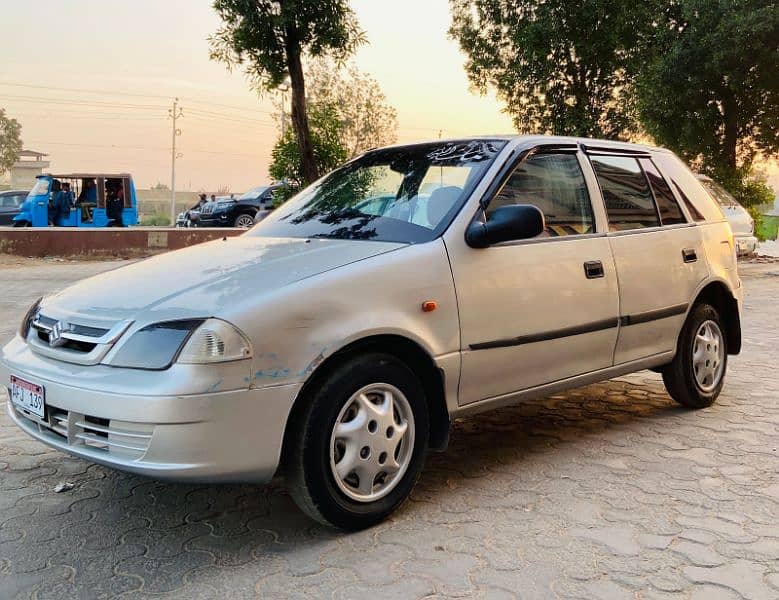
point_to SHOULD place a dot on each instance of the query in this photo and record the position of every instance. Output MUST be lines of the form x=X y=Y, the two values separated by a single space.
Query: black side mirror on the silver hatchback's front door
x=507 y=223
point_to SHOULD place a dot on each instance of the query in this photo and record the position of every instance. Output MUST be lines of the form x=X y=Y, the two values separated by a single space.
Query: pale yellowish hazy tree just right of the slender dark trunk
x=368 y=120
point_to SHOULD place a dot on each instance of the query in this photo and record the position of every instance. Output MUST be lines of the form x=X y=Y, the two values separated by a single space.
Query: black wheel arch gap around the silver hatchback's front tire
x=407 y=351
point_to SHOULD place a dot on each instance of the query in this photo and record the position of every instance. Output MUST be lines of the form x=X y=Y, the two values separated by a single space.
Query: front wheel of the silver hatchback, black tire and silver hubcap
x=378 y=405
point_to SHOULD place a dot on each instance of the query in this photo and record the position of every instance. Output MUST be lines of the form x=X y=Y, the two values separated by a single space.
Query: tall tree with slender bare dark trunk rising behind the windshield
x=269 y=39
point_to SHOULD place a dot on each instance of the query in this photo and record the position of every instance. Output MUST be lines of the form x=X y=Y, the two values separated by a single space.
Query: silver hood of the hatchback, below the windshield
x=202 y=280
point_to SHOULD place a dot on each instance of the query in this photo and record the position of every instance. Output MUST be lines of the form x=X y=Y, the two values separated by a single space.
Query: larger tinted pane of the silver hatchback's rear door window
x=626 y=193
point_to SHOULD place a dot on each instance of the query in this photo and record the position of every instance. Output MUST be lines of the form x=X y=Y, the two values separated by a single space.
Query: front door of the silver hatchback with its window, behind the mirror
x=540 y=310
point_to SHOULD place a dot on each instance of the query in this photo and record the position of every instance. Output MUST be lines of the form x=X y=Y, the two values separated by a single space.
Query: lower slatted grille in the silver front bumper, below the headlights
x=118 y=438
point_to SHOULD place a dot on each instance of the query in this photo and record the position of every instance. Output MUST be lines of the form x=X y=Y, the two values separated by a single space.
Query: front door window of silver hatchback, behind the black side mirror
x=555 y=184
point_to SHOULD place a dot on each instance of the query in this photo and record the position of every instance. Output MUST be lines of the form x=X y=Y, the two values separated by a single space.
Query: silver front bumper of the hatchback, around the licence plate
x=231 y=435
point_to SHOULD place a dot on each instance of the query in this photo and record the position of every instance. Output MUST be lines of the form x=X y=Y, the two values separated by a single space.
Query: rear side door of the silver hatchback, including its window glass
x=658 y=254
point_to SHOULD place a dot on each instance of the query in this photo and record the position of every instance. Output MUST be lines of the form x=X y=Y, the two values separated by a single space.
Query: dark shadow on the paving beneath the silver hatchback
x=150 y=526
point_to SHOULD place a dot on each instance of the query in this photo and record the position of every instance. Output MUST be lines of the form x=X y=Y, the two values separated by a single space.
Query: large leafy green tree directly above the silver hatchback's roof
x=560 y=67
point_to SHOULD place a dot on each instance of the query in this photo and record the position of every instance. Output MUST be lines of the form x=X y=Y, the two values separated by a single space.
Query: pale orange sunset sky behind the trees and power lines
x=91 y=82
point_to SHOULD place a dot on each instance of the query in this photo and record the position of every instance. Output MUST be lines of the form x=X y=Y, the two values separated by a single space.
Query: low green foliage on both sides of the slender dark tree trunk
x=329 y=150
